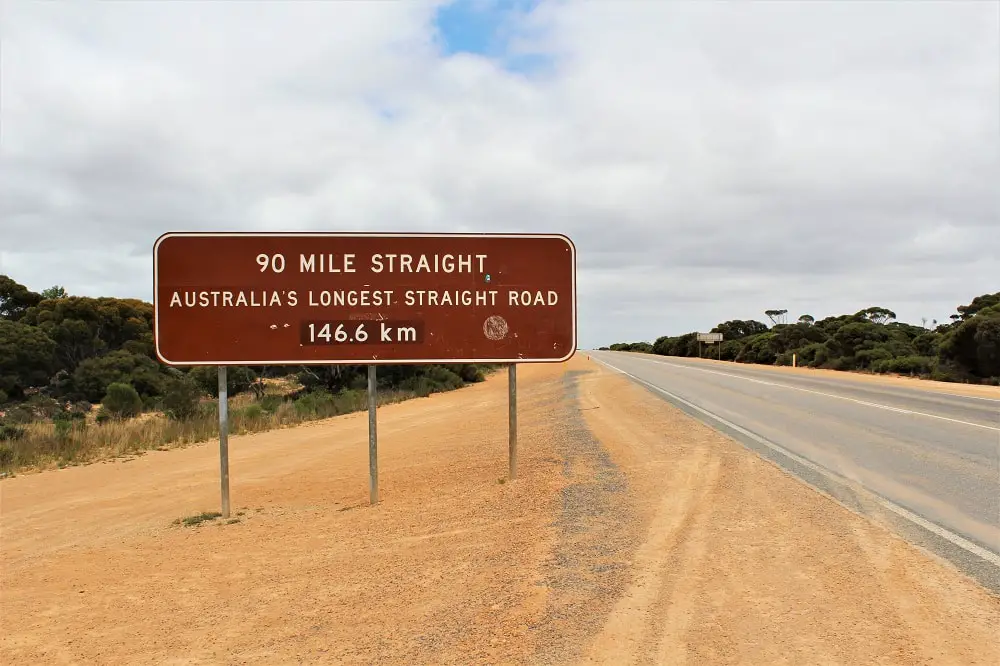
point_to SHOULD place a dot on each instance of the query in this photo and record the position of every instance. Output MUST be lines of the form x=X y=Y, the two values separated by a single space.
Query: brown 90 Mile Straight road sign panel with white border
x=325 y=298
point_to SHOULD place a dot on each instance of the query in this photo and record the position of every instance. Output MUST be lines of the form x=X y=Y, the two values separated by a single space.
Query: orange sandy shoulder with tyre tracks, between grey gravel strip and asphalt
x=741 y=563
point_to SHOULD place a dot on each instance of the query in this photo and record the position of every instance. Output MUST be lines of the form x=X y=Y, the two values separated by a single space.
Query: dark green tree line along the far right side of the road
x=964 y=349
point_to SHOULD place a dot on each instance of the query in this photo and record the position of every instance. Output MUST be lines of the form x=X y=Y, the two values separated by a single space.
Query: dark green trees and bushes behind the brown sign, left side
x=78 y=351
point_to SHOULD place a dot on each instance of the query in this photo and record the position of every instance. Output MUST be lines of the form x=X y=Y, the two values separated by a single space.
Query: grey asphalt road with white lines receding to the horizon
x=931 y=457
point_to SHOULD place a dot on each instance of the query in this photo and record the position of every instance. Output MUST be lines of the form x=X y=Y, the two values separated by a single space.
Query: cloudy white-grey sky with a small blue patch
x=710 y=160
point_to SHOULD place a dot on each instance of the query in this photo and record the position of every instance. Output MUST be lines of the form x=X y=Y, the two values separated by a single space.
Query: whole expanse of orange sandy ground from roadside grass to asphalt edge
x=633 y=535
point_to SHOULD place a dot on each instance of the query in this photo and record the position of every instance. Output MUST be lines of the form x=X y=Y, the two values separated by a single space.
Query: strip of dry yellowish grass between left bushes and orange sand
x=47 y=444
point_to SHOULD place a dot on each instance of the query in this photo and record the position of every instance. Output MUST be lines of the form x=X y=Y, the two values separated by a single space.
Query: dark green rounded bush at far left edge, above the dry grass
x=27 y=358
